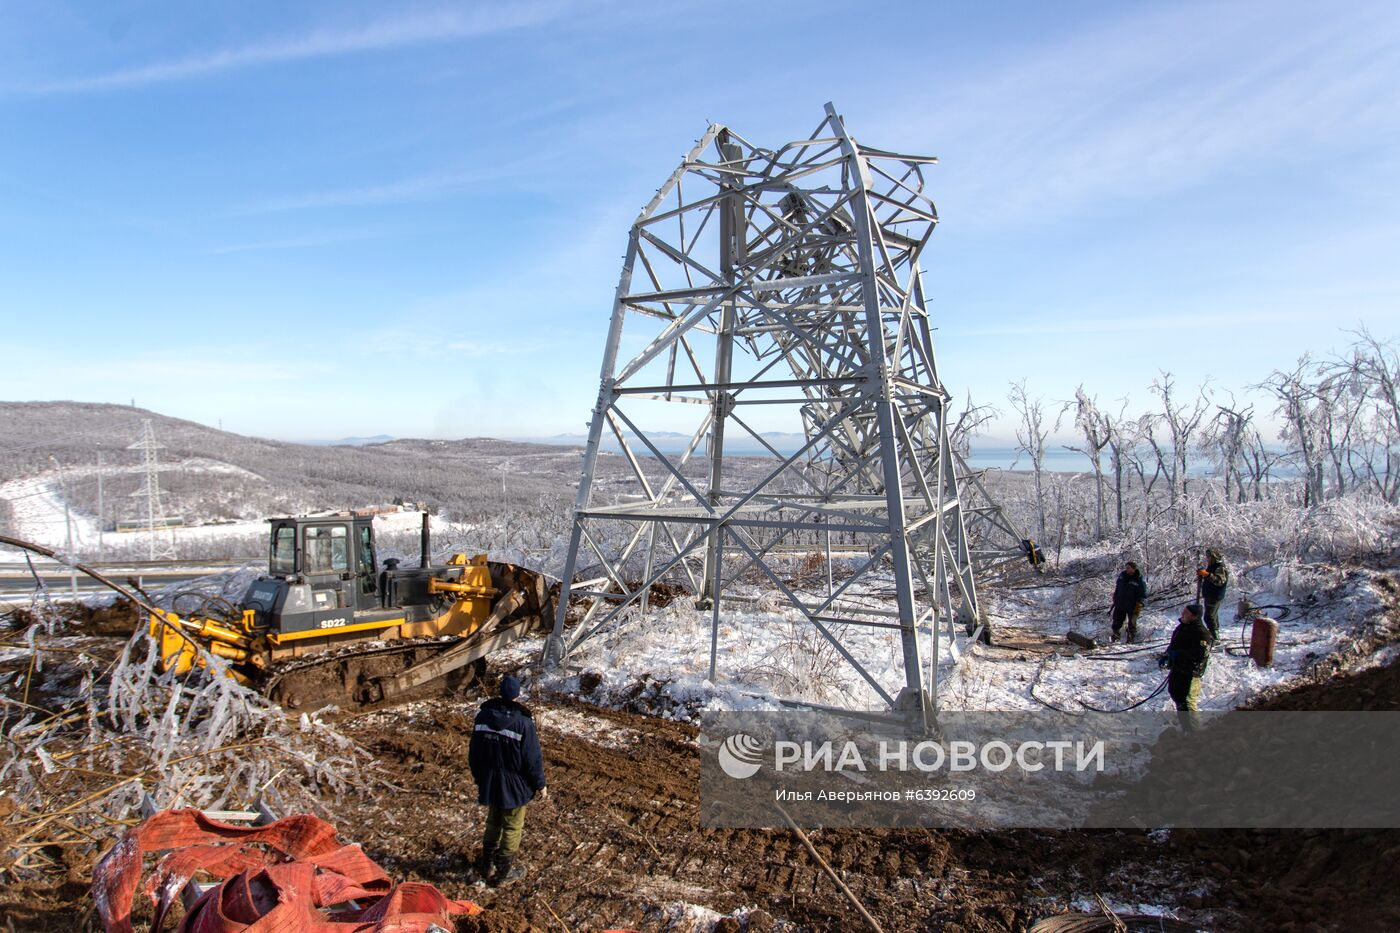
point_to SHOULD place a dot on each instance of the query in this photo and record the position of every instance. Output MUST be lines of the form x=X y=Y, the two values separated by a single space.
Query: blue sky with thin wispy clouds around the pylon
x=320 y=221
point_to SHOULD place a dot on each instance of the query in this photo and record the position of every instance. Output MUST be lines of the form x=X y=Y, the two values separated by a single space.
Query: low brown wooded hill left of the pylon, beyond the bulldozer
x=208 y=474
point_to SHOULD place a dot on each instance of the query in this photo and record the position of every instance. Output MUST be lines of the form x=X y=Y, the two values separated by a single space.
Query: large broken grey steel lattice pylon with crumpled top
x=765 y=284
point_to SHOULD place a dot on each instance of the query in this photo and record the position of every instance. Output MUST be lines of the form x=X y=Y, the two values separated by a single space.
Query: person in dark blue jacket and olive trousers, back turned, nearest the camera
x=510 y=773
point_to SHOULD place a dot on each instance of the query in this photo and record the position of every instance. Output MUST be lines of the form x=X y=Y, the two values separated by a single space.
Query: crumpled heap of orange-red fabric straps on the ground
x=290 y=876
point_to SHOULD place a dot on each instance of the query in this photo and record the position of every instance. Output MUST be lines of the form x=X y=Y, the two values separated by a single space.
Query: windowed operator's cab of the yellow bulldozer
x=332 y=554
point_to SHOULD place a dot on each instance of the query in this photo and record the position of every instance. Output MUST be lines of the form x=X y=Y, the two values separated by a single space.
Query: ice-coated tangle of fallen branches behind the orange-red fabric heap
x=195 y=740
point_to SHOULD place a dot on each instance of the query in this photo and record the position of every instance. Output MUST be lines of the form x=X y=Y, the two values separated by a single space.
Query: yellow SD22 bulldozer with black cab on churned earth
x=330 y=624
